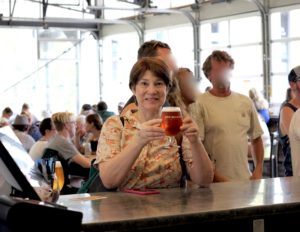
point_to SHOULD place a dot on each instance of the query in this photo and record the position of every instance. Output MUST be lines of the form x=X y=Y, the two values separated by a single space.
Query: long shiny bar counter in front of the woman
x=264 y=205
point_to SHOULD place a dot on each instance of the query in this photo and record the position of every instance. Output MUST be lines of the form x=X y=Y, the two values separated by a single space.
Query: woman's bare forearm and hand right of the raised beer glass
x=201 y=170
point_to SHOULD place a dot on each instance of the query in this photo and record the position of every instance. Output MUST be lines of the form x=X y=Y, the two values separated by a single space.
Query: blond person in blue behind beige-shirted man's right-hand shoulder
x=260 y=103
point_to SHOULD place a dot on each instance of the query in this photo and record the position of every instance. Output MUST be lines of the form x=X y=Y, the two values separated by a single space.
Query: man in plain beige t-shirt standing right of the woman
x=226 y=121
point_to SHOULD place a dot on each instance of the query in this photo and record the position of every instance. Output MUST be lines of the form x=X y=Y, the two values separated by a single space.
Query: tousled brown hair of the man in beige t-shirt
x=218 y=56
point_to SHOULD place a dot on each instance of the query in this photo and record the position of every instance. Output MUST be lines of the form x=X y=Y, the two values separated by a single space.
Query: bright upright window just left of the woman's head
x=116 y=66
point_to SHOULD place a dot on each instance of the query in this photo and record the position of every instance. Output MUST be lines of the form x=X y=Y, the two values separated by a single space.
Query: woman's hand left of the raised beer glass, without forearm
x=149 y=131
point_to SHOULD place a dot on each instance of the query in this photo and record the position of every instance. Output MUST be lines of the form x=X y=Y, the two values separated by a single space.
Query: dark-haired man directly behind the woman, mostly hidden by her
x=160 y=50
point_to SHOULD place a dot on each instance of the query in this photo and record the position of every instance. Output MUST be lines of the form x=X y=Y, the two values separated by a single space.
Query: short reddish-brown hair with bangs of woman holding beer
x=154 y=65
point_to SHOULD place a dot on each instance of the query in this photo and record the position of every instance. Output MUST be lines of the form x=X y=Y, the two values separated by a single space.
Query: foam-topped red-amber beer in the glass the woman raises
x=171 y=120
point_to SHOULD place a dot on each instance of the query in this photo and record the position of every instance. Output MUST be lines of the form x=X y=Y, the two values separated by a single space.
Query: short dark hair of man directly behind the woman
x=149 y=48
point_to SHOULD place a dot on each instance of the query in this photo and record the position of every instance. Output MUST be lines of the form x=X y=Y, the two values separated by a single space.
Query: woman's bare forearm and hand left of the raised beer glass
x=113 y=171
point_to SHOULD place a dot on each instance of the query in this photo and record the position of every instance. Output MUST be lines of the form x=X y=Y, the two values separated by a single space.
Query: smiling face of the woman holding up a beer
x=150 y=92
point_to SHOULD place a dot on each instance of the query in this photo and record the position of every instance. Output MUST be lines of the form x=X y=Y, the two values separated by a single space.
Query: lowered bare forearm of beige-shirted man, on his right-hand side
x=258 y=157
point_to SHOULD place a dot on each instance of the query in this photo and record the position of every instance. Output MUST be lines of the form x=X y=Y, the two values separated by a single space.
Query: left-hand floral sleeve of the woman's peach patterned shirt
x=110 y=139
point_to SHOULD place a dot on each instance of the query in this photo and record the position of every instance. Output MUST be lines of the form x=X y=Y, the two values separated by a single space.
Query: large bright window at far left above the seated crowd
x=61 y=84
